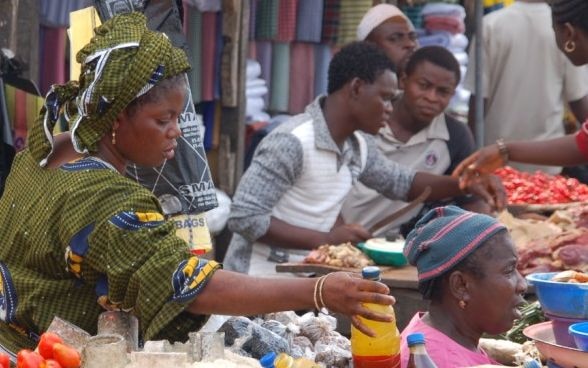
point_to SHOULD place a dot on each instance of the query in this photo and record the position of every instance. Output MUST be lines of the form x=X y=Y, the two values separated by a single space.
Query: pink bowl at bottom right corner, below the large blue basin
x=563 y=356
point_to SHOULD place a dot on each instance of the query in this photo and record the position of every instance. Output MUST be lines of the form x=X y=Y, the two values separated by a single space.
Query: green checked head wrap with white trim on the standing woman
x=122 y=61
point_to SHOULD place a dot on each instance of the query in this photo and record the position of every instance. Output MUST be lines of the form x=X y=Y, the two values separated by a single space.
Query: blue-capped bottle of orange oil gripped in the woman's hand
x=383 y=350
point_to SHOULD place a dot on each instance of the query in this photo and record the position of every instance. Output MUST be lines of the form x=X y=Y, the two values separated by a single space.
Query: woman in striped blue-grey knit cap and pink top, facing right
x=466 y=266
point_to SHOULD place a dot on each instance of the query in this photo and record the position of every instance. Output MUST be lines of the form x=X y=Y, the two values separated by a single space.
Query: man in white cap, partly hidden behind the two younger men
x=390 y=29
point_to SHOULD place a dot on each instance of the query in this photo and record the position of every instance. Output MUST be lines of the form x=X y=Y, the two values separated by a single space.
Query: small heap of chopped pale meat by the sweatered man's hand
x=343 y=255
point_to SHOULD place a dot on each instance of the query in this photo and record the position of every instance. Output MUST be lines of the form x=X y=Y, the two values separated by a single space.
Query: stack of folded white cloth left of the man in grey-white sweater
x=255 y=90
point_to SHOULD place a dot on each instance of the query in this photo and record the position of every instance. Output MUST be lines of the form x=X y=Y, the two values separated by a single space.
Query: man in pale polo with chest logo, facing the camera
x=421 y=136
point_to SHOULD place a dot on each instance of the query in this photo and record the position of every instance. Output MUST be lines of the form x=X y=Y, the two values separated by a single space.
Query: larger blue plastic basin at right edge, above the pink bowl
x=560 y=299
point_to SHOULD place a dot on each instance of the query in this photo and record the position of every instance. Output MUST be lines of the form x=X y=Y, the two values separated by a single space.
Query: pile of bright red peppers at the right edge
x=541 y=188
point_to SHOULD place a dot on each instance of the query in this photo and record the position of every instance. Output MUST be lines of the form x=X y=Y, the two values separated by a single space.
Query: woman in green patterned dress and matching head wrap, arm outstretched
x=78 y=237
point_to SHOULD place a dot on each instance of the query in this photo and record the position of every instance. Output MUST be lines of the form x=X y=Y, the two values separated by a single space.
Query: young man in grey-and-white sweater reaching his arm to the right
x=289 y=199
